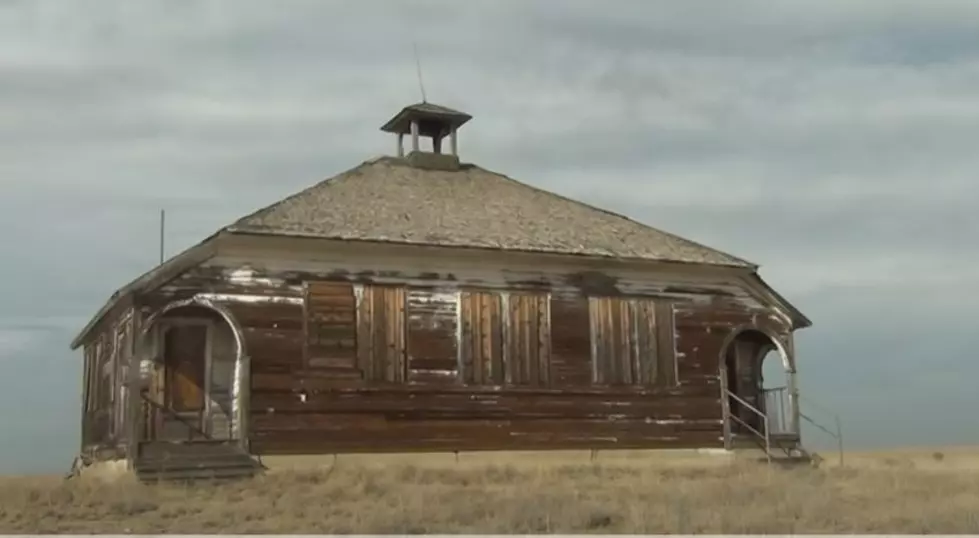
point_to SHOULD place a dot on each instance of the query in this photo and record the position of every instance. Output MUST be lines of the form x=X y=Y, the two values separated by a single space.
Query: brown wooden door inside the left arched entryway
x=185 y=357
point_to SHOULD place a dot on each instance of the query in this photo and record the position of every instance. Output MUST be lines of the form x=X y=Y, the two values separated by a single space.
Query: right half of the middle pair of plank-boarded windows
x=526 y=338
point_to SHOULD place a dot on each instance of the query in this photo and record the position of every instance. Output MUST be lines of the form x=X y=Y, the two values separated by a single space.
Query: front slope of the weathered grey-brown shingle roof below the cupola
x=386 y=199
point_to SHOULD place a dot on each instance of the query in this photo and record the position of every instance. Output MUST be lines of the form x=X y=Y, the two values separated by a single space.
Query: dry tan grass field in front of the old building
x=895 y=492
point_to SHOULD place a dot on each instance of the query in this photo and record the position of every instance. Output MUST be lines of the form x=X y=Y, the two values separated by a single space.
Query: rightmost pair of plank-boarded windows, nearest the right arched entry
x=626 y=342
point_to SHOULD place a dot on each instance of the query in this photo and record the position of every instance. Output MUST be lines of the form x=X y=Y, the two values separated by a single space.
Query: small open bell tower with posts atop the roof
x=432 y=121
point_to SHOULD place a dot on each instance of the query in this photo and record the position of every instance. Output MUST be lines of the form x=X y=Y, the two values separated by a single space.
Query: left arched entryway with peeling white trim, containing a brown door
x=190 y=372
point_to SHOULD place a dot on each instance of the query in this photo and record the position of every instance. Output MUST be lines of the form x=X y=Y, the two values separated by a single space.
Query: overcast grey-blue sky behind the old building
x=832 y=142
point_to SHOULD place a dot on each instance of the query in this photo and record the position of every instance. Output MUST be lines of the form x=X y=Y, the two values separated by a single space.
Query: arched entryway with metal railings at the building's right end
x=759 y=374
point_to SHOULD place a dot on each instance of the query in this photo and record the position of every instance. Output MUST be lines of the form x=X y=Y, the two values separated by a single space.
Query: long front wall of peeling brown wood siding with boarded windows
x=351 y=352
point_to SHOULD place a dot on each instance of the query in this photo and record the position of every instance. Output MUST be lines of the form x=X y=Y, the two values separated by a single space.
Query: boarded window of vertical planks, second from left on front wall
x=381 y=333
